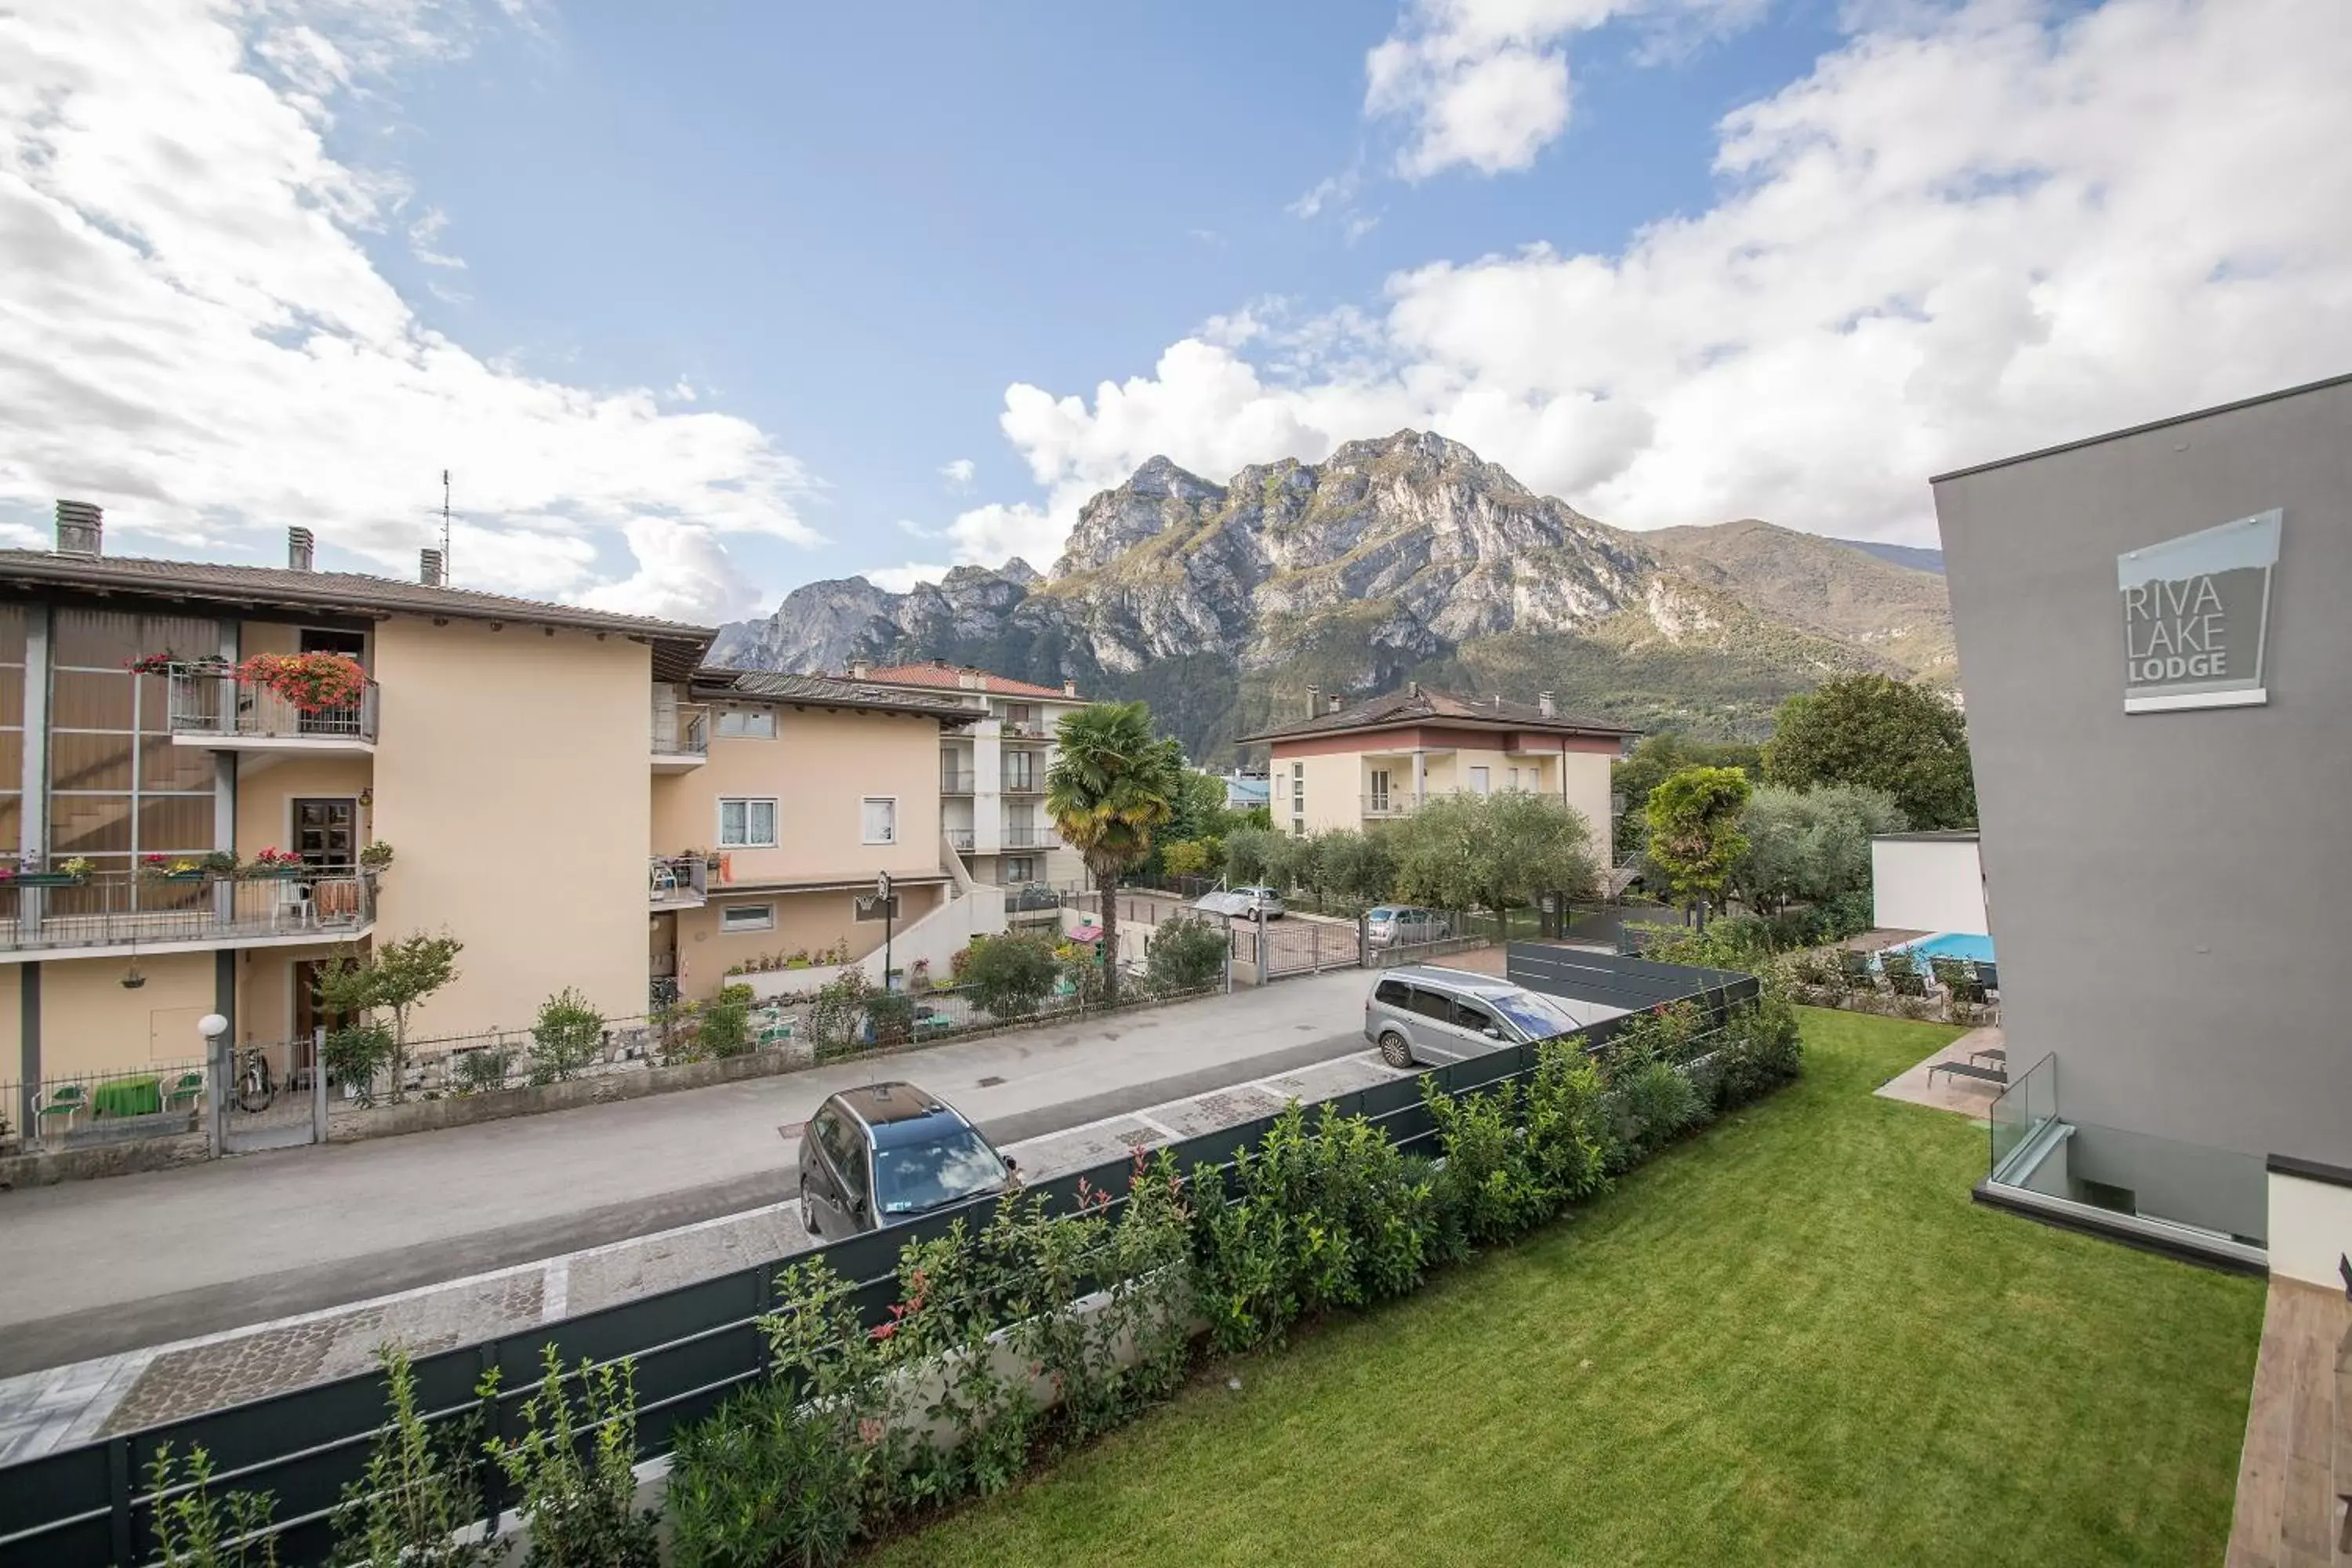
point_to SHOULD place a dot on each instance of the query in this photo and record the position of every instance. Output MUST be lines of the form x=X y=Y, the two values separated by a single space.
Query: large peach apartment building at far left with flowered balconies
x=497 y=746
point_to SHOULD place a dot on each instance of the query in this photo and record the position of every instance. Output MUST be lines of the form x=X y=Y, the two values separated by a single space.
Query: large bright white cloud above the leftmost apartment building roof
x=194 y=333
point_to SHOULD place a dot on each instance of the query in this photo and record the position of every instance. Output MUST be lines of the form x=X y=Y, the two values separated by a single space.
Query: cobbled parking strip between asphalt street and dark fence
x=72 y=1405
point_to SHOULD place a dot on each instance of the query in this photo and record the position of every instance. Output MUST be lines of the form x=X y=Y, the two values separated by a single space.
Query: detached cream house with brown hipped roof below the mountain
x=1379 y=760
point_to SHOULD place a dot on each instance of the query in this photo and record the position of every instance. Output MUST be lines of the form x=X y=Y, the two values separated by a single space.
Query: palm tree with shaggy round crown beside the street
x=1111 y=784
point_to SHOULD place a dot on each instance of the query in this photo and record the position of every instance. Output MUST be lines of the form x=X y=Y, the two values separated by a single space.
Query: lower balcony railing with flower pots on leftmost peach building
x=126 y=911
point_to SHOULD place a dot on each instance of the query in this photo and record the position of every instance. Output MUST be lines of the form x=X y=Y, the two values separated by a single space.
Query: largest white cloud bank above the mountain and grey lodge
x=1965 y=234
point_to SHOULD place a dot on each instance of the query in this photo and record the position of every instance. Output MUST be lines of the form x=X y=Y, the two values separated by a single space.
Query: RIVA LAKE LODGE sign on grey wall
x=2198 y=617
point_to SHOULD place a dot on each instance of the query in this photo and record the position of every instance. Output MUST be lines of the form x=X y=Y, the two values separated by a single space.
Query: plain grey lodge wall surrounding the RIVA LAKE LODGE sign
x=2165 y=885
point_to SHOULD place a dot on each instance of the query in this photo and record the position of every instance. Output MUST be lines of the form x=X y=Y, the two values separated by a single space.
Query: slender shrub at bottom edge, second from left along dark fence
x=417 y=1492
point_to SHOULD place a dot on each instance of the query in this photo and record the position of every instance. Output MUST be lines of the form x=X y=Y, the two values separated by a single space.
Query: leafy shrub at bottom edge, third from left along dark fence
x=575 y=1470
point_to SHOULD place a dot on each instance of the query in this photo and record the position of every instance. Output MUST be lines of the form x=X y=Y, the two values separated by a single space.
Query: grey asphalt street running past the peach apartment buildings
x=112 y=1266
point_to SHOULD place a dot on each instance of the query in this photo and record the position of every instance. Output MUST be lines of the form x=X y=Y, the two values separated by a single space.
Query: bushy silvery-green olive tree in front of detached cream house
x=1492 y=852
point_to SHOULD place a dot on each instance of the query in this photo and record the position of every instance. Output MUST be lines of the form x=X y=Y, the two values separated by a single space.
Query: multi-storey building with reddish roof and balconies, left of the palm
x=991 y=775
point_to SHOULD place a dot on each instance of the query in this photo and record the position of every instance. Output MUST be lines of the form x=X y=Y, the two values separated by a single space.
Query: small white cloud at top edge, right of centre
x=1485 y=83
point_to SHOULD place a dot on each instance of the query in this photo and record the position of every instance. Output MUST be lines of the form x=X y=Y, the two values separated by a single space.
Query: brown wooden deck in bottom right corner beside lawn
x=2299 y=1435
